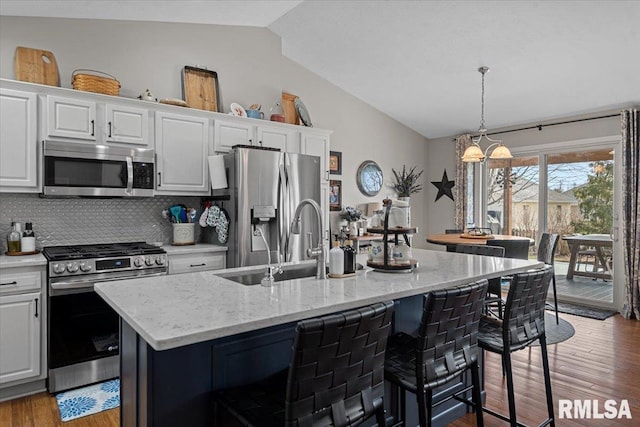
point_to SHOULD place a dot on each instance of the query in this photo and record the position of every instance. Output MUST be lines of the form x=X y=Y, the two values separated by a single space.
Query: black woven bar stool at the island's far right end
x=521 y=325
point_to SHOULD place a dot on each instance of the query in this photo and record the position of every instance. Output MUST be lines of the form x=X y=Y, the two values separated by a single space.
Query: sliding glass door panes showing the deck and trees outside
x=569 y=192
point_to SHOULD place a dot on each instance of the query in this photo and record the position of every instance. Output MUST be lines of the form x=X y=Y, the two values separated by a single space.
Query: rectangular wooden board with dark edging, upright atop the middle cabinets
x=200 y=89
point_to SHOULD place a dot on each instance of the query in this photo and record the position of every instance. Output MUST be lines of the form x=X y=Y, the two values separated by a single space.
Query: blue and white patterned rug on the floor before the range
x=89 y=400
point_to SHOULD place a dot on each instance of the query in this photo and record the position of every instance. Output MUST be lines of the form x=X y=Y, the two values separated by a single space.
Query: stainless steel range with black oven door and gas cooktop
x=83 y=331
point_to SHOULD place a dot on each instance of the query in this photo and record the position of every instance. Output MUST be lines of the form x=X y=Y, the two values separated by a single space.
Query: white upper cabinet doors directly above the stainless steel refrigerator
x=243 y=132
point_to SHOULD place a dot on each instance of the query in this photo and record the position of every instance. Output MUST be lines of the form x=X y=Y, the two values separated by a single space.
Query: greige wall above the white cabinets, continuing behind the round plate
x=250 y=69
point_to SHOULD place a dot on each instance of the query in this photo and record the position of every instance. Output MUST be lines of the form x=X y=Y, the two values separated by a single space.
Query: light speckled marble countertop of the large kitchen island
x=177 y=310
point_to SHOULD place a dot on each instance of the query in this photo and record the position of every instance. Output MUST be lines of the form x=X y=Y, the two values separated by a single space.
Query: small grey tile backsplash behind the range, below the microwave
x=91 y=220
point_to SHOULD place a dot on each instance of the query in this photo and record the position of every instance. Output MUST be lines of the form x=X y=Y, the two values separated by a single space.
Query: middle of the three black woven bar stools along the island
x=445 y=348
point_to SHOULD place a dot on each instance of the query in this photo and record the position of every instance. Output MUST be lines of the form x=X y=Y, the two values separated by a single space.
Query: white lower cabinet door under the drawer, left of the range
x=20 y=336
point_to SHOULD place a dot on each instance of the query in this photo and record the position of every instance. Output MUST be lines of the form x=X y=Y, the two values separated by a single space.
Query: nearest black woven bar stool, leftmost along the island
x=335 y=377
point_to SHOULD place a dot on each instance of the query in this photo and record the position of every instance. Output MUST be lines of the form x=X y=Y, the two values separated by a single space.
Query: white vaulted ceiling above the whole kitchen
x=417 y=61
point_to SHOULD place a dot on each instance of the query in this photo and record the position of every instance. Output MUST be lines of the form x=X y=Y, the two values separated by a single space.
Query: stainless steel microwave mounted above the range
x=76 y=169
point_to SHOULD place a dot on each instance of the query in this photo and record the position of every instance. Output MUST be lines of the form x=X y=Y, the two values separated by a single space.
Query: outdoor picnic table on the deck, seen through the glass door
x=596 y=241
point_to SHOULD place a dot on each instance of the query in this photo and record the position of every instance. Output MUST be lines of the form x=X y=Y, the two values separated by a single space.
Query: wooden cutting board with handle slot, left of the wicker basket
x=36 y=66
